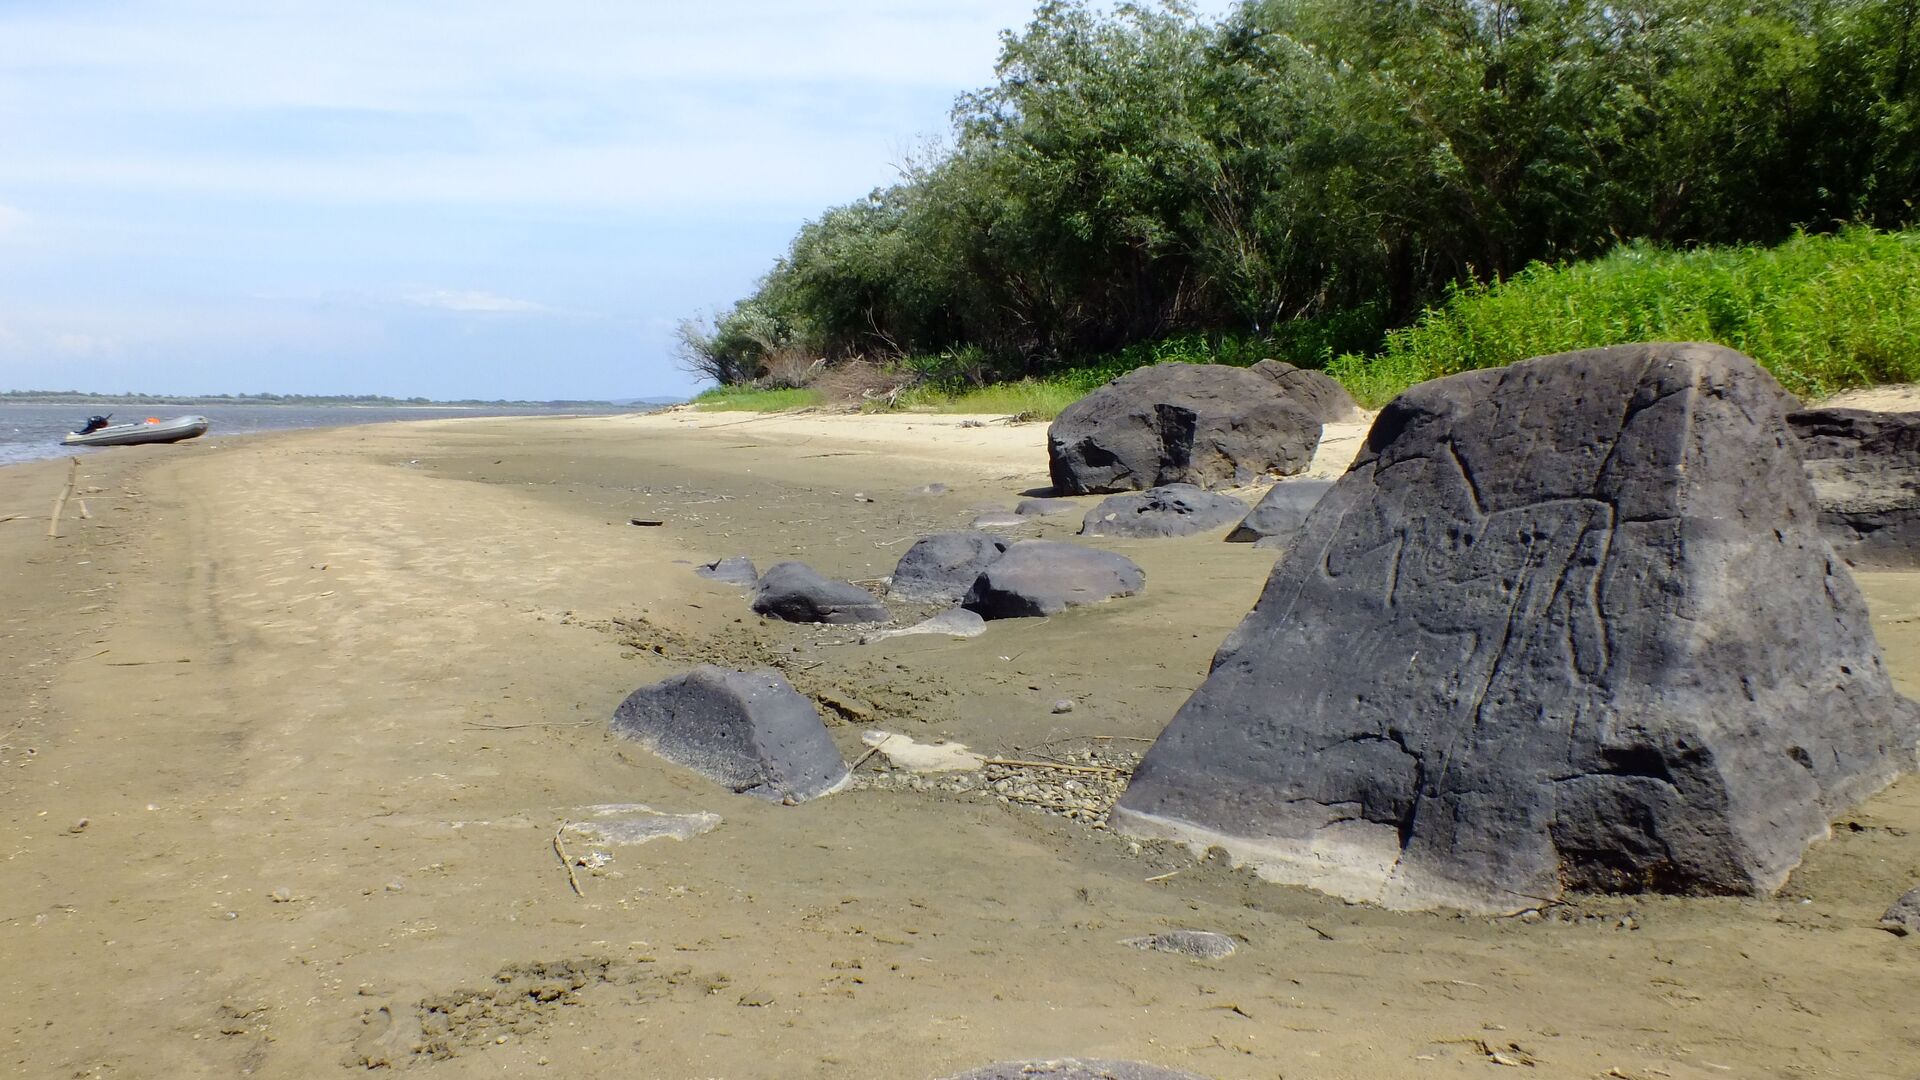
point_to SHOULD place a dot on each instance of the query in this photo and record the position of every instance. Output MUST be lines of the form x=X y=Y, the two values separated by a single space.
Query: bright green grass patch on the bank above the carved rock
x=1821 y=312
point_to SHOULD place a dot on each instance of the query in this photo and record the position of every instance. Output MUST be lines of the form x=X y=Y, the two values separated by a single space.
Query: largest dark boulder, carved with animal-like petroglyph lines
x=1566 y=626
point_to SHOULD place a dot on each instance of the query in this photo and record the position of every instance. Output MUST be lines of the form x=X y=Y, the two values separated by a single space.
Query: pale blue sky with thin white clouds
x=452 y=201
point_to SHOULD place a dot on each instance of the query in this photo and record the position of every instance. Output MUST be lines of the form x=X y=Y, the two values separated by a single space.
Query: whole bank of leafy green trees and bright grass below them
x=1383 y=191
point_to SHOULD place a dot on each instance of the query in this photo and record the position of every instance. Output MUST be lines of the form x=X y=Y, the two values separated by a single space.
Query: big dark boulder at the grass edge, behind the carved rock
x=1178 y=424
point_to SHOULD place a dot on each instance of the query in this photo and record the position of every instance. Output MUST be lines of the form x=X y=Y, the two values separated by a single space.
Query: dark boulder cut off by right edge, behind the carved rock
x=1865 y=472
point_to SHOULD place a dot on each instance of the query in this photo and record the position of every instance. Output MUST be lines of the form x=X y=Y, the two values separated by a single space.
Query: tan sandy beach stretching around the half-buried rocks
x=293 y=724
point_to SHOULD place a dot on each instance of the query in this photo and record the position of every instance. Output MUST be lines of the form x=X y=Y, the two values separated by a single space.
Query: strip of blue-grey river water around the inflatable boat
x=32 y=431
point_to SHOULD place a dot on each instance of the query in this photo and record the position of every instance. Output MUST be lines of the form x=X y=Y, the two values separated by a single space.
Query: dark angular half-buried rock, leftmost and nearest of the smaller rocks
x=746 y=729
